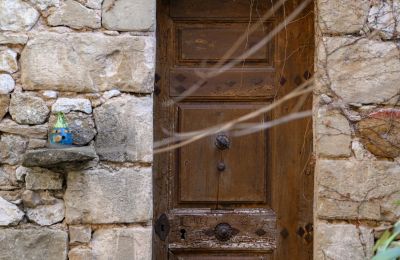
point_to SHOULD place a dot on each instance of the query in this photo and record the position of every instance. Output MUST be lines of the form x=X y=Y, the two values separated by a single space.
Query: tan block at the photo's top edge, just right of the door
x=342 y=16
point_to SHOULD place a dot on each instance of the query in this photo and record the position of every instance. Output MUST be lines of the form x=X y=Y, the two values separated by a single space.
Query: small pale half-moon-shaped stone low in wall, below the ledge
x=46 y=215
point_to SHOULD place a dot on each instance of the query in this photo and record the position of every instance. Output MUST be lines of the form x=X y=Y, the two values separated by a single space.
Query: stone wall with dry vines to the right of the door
x=356 y=125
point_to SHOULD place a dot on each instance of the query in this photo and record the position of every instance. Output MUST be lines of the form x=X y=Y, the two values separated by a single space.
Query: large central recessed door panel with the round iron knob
x=211 y=173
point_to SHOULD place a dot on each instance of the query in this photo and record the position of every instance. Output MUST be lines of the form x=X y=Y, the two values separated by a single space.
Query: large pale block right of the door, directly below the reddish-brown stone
x=355 y=189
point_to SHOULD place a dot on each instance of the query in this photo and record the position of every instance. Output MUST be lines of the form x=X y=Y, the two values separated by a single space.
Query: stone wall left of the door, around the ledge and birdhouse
x=93 y=60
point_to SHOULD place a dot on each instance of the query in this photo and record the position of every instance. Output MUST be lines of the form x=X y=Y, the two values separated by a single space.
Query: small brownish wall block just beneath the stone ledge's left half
x=43 y=179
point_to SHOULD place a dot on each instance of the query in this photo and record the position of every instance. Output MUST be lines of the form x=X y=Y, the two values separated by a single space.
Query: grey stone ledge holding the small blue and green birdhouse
x=52 y=157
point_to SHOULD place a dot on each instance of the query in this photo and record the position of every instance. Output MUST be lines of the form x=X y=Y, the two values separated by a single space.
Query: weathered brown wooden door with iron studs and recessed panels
x=227 y=196
